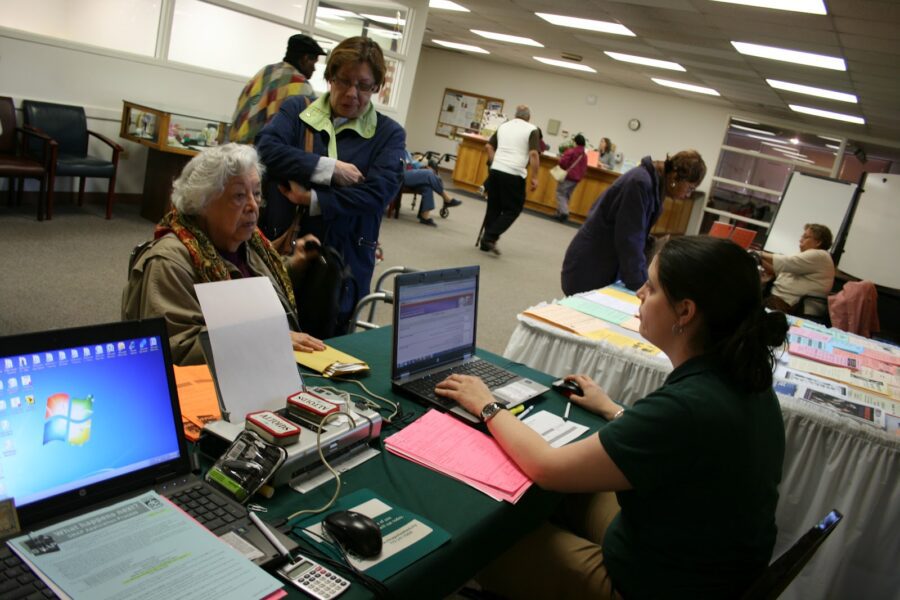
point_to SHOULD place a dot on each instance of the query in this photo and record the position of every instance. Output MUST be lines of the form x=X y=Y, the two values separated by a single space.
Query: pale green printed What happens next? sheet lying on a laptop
x=143 y=548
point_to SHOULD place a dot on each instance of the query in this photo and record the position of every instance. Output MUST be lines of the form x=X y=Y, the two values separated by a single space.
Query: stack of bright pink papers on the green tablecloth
x=442 y=443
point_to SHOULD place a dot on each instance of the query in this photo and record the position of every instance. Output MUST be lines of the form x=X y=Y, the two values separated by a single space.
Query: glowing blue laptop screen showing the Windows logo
x=84 y=407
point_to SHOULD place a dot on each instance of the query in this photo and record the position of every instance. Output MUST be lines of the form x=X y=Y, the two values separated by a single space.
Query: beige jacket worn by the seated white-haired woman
x=161 y=283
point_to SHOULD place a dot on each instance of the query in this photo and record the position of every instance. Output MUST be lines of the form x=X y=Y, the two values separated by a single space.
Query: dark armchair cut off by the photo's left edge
x=13 y=165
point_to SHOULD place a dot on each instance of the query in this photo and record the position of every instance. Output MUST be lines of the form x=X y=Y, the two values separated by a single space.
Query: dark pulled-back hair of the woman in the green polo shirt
x=723 y=281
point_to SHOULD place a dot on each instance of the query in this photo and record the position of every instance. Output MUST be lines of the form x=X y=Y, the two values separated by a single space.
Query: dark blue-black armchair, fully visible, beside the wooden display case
x=67 y=125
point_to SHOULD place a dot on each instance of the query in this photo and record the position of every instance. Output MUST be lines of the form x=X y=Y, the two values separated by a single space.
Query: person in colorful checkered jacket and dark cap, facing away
x=262 y=96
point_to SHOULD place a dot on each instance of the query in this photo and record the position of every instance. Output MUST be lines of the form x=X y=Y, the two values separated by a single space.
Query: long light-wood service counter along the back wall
x=471 y=171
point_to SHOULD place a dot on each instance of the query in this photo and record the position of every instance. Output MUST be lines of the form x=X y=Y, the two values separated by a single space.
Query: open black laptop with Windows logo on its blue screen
x=90 y=416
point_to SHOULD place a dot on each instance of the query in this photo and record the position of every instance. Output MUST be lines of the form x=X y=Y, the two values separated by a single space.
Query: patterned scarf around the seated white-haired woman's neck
x=208 y=263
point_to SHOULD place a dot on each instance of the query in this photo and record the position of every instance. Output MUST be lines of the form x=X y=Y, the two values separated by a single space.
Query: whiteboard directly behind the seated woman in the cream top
x=808 y=199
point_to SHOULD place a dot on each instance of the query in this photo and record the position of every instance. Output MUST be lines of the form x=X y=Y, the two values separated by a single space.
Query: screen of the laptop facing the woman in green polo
x=435 y=314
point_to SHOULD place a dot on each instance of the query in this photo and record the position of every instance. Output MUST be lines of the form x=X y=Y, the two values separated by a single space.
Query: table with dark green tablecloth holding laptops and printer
x=480 y=527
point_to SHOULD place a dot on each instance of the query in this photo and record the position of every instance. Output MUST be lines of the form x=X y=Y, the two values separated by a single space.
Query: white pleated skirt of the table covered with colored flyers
x=831 y=461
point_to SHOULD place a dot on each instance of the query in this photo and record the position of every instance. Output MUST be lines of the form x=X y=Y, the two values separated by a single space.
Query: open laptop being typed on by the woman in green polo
x=435 y=314
